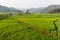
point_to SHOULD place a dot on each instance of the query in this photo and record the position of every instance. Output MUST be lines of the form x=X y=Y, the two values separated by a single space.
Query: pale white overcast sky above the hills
x=28 y=3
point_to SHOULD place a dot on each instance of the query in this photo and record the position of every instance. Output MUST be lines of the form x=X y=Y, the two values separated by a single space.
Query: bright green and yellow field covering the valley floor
x=29 y=27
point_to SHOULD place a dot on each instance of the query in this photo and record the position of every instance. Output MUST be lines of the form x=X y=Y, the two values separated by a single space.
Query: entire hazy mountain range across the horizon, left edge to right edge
x=41 y=9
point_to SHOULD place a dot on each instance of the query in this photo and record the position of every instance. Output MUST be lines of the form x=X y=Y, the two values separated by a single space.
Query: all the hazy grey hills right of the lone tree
x=44 y=9
